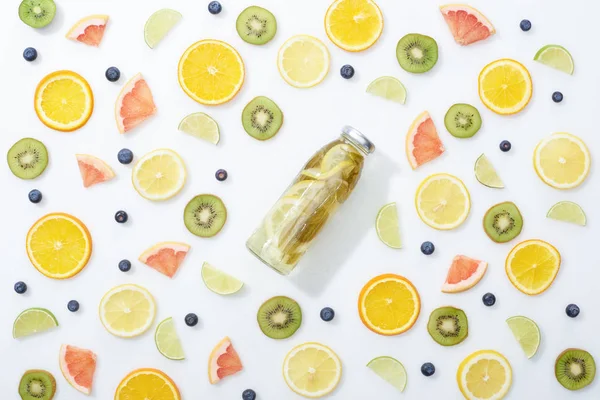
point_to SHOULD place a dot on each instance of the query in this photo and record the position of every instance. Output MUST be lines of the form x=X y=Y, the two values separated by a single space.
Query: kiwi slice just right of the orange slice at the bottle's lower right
x=448 y=325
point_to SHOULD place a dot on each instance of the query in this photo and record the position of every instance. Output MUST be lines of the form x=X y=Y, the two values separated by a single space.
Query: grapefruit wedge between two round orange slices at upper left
x=134 y=105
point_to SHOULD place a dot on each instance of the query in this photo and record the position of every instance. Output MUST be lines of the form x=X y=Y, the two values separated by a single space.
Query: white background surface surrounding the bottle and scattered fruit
x=348 y=253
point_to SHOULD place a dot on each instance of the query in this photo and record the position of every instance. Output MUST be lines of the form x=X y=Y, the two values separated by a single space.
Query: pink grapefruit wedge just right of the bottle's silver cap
x=422 y=141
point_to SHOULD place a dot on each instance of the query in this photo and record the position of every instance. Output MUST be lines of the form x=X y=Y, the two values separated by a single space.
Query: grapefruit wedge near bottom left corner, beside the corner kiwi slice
x=78 y=367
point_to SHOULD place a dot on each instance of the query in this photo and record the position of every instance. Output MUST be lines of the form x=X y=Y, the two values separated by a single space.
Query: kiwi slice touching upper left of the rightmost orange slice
x=503 y=222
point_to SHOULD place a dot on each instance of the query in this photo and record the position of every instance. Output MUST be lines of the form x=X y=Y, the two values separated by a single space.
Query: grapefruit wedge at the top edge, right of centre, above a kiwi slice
x=466 y=23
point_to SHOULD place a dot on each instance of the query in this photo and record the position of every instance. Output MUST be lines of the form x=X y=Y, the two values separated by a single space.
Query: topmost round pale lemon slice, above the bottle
x=303 y=61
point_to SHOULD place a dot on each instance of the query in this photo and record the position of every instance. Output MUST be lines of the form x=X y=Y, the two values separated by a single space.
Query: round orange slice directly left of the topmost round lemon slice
x=211 y=72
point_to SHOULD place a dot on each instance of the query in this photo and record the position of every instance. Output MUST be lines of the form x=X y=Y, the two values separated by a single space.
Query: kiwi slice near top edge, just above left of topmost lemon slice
x=256 y=25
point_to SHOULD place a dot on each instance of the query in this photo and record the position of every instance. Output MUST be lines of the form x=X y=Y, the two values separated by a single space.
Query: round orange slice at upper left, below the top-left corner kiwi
x=64 y=101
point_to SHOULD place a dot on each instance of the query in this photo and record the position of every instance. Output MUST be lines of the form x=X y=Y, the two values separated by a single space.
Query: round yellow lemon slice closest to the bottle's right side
x=443 y=201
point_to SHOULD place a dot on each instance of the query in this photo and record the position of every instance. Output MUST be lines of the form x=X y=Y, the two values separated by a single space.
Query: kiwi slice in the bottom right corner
x=575 y=369
